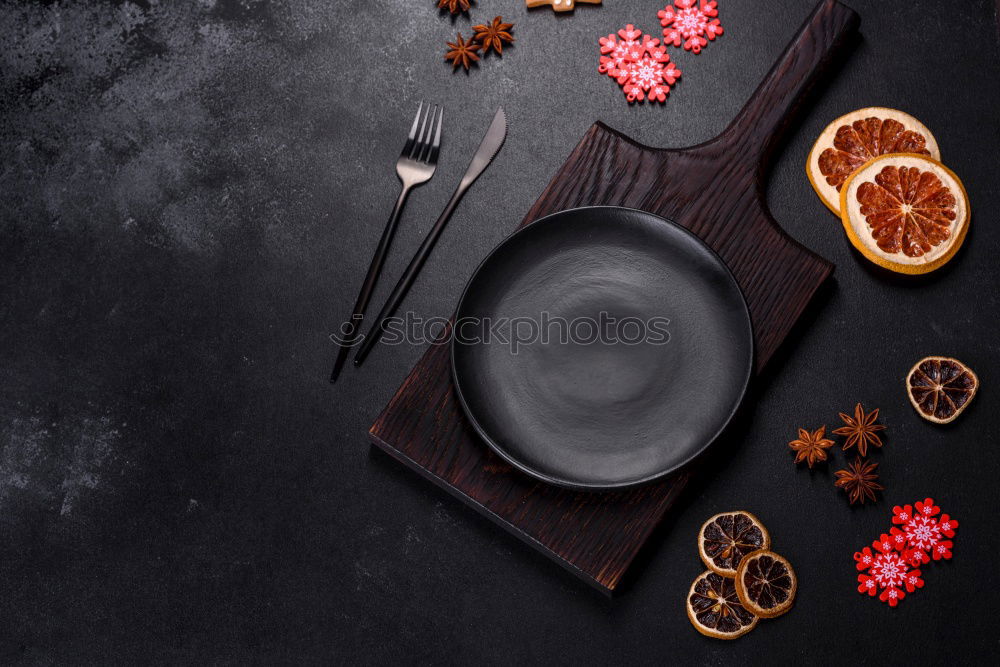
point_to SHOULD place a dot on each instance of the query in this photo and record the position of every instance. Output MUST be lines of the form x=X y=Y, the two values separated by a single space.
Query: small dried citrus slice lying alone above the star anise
x=940 y=388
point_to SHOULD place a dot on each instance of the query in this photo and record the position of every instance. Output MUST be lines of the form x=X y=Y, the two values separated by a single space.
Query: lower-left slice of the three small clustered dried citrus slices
x=714 y=607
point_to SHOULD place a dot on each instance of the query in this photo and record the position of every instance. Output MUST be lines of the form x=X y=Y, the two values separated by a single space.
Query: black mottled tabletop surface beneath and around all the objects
x=191 y=192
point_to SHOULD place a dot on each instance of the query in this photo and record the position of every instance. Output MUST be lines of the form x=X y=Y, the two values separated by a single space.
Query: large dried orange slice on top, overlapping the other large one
x=905 y=212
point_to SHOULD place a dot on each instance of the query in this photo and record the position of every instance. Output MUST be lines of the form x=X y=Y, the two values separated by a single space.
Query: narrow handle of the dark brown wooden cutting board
x=759 y=124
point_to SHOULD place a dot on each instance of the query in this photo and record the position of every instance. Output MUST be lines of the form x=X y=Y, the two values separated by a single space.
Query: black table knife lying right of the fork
x=487 y=150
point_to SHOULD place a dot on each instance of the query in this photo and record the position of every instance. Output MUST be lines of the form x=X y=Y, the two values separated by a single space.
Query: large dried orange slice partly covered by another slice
x=854 y=138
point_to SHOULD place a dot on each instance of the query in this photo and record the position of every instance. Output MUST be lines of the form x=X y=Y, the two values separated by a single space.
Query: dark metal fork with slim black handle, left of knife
x=416 y=165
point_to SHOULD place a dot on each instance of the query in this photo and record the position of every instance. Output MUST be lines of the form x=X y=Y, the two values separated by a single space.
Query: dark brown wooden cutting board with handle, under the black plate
x=713 y=189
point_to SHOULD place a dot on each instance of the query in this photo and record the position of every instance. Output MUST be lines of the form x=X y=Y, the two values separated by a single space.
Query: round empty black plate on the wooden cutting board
x=647 y=354
